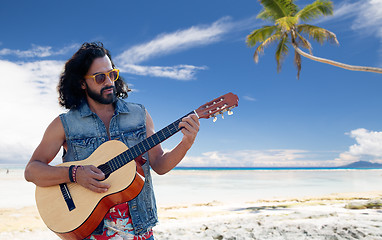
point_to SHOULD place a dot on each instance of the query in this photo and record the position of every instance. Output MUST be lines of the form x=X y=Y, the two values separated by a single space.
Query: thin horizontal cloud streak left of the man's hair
x=37 y=51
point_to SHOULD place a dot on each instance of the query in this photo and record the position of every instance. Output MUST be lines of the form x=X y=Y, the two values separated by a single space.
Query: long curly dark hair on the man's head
x=69 y=87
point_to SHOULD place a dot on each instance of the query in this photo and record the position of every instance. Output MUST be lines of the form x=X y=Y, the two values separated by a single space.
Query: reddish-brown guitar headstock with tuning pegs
x=217 y=106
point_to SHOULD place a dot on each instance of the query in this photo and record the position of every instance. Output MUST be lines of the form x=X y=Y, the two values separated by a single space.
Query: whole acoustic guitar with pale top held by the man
x=74 y=212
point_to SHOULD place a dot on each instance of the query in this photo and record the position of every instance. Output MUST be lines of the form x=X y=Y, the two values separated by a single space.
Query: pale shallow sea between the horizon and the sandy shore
x=181 y=186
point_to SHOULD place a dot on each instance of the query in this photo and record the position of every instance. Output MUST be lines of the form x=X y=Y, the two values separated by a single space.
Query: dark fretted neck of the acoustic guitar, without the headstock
x=142 y=147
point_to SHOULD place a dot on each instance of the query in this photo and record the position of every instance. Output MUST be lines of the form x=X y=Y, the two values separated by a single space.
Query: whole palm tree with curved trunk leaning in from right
x=286 y=29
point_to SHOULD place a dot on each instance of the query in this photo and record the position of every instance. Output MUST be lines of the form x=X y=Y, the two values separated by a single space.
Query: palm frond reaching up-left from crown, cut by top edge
x=278 y=8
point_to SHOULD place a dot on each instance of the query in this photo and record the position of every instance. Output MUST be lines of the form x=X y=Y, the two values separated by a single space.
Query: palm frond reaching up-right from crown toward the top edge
x=317 y=9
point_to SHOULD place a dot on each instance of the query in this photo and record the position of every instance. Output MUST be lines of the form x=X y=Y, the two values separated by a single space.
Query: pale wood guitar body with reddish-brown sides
x=90 y=207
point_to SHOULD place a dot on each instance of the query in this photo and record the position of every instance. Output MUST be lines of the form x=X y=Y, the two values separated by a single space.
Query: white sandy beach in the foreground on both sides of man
x=351 y=215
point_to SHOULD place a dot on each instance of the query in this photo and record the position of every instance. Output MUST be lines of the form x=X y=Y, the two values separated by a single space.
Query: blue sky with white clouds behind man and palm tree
x=177 y=55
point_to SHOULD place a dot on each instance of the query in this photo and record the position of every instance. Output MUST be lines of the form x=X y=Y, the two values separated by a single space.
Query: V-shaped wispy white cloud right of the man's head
x=170 y=43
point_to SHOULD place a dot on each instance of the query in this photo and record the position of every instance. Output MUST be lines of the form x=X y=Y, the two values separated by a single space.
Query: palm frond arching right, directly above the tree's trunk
x=317 y=33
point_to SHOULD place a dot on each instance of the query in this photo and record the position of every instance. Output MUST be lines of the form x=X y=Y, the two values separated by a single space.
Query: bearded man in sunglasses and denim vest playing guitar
x=91 y=88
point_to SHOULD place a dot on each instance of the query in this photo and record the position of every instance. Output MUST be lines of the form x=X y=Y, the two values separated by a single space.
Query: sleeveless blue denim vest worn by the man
x=85 y=132
